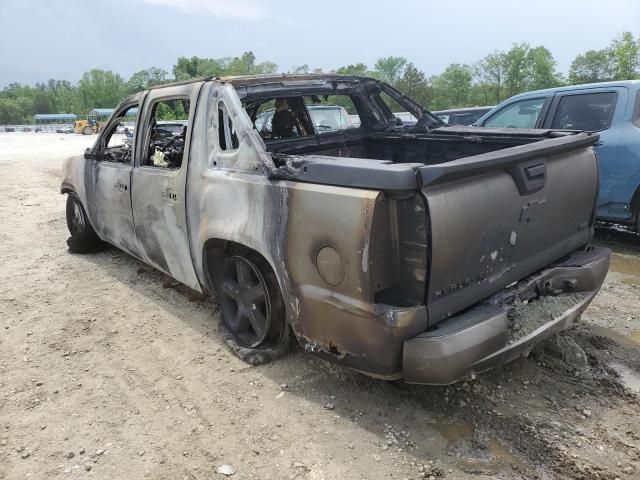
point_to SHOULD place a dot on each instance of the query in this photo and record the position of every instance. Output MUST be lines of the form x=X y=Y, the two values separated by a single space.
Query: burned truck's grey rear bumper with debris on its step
x=485 y=337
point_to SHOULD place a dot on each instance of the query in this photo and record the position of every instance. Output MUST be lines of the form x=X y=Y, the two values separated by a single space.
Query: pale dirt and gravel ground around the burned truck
x=109 y=372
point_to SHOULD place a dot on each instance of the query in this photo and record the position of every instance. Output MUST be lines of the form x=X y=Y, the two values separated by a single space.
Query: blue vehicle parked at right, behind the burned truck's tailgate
x=613 y=110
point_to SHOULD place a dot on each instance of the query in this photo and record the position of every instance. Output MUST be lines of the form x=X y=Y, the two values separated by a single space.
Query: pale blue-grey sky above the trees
x=62 y=39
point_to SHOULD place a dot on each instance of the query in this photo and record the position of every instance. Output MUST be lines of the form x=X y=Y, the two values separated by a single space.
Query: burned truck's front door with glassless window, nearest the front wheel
x=108 y=180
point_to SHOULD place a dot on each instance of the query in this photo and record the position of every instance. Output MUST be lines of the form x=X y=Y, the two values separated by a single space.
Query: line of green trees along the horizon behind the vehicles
x=494 y=78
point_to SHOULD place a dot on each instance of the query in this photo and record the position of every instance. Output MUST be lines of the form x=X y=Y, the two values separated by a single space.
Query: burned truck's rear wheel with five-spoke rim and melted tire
x=252 y=312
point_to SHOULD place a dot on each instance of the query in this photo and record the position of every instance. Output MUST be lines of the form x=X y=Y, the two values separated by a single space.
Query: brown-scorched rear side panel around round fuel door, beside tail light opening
x=344 y=319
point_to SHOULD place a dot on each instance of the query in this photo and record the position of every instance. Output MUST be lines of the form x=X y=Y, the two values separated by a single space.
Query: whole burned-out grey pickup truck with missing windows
x=422 y=252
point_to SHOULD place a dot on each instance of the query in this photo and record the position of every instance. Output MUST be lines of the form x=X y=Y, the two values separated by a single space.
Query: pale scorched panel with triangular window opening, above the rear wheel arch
x=229 y=198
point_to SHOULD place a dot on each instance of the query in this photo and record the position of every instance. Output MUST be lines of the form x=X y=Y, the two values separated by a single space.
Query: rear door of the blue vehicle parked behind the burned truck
x=596 y=110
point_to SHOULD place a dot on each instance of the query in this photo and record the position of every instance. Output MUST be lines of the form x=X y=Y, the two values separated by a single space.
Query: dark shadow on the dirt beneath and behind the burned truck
x=502 y=423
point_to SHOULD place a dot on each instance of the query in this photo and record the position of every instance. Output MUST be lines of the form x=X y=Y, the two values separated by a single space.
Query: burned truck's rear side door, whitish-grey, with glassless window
x=158 y=180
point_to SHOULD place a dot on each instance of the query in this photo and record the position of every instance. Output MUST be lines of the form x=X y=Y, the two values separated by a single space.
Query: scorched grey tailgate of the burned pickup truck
x=498 y=217
